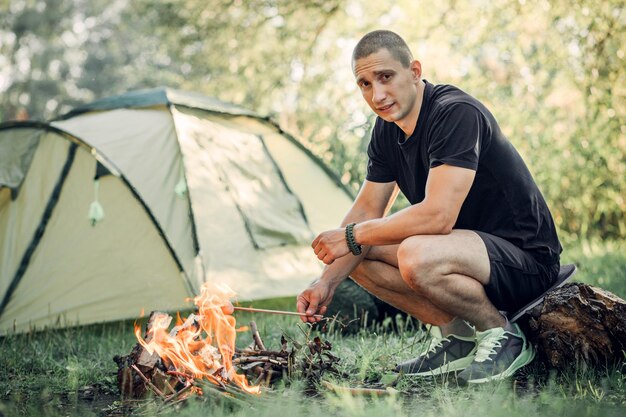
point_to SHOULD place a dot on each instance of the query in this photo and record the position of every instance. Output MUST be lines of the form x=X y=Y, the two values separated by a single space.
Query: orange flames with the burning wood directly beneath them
x=173 y=364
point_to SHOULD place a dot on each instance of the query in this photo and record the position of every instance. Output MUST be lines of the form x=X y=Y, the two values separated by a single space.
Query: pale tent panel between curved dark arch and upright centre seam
x=144 y=147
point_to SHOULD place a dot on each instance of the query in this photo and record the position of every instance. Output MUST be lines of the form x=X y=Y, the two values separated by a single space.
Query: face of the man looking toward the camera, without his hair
x=389 y=88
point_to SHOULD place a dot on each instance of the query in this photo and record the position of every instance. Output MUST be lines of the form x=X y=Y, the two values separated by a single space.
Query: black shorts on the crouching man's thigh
x=516 y=277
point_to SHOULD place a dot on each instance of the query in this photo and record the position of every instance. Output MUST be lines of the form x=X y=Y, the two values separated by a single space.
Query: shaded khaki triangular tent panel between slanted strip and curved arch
x=95 y=288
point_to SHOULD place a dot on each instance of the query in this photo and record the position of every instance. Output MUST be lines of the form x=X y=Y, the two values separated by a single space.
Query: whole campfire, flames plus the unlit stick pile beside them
x=199 y=354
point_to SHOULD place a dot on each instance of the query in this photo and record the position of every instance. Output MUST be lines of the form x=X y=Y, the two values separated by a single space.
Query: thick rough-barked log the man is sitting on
x=578 y=325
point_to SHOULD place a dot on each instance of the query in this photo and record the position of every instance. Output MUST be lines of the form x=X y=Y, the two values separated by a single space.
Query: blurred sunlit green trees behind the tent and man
x=552 y=72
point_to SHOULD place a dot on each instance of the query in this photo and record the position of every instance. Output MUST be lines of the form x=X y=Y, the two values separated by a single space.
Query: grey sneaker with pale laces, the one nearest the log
x=499 y=355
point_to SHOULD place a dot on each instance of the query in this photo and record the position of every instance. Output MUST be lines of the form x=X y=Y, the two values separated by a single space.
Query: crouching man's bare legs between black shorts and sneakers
x=433 y=278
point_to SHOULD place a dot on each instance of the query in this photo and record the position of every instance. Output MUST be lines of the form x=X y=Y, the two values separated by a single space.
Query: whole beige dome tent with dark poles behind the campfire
x=132 y=202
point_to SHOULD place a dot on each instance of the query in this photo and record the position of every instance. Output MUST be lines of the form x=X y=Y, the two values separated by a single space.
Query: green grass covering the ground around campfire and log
x=70 y=372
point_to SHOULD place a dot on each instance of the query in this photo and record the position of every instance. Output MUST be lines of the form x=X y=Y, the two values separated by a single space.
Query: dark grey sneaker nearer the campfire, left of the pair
x=447 y=354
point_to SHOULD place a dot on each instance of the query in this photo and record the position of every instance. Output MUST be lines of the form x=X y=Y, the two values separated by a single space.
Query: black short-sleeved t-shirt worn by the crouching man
x=454 y=128
